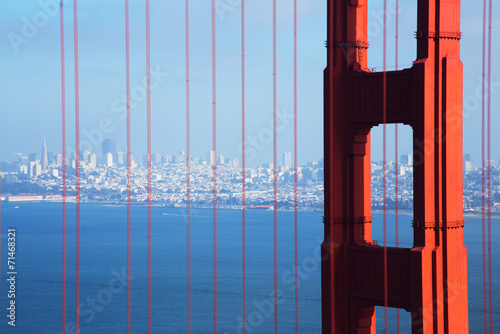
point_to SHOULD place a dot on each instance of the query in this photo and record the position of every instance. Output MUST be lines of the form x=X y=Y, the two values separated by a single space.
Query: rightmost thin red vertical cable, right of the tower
x=489 y=166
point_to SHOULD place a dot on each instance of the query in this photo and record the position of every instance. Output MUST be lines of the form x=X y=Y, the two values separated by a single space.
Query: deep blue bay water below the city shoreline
x=103 y=261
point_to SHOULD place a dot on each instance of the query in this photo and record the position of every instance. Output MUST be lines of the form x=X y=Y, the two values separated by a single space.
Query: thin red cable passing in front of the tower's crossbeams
x=385 y=169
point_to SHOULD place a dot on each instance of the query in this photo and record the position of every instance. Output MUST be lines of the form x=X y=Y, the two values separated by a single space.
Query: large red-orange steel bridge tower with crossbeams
x=430 y=279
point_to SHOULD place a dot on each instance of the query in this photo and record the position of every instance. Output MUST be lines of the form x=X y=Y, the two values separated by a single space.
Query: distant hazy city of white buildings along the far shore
x=103 y=179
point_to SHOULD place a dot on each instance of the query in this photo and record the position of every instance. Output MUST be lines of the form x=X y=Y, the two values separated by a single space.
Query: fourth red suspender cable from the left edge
x=148 y=76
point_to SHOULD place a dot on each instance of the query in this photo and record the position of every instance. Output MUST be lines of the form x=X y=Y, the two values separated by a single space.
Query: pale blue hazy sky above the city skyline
x=30 y=85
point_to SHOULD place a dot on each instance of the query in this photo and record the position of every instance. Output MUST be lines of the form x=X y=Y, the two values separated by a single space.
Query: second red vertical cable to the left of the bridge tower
x=275 y=177
